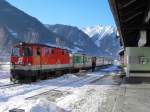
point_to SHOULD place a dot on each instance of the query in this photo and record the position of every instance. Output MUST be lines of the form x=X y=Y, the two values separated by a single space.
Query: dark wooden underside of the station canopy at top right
x=131 y=17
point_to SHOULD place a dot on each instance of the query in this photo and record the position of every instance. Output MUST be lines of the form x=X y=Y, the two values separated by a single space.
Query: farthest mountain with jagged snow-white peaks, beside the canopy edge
x=105 y=38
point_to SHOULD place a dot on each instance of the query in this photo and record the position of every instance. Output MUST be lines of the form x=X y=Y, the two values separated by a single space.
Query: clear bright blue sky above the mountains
x=81 y=13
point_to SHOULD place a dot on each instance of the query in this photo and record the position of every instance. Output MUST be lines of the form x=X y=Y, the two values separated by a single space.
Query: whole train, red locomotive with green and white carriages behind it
x=37 y=61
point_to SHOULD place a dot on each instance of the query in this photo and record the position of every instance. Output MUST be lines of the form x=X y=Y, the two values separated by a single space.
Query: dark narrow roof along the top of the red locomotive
x=36 y=44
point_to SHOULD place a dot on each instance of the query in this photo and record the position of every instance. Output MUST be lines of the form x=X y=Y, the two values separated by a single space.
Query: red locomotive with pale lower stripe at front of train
x=36 y=60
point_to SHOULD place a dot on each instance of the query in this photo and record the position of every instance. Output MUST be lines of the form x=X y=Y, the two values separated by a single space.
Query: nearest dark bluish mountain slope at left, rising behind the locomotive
x=17 y=26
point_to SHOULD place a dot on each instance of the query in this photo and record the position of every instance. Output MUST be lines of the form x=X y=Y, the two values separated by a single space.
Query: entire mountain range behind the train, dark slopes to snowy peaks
x=99 y=40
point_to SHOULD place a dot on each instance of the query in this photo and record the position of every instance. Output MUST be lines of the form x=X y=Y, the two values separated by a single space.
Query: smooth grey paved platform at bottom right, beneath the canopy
x=133 y=98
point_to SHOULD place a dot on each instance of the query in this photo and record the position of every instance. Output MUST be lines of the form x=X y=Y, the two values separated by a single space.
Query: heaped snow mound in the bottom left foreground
x=39 y=105
